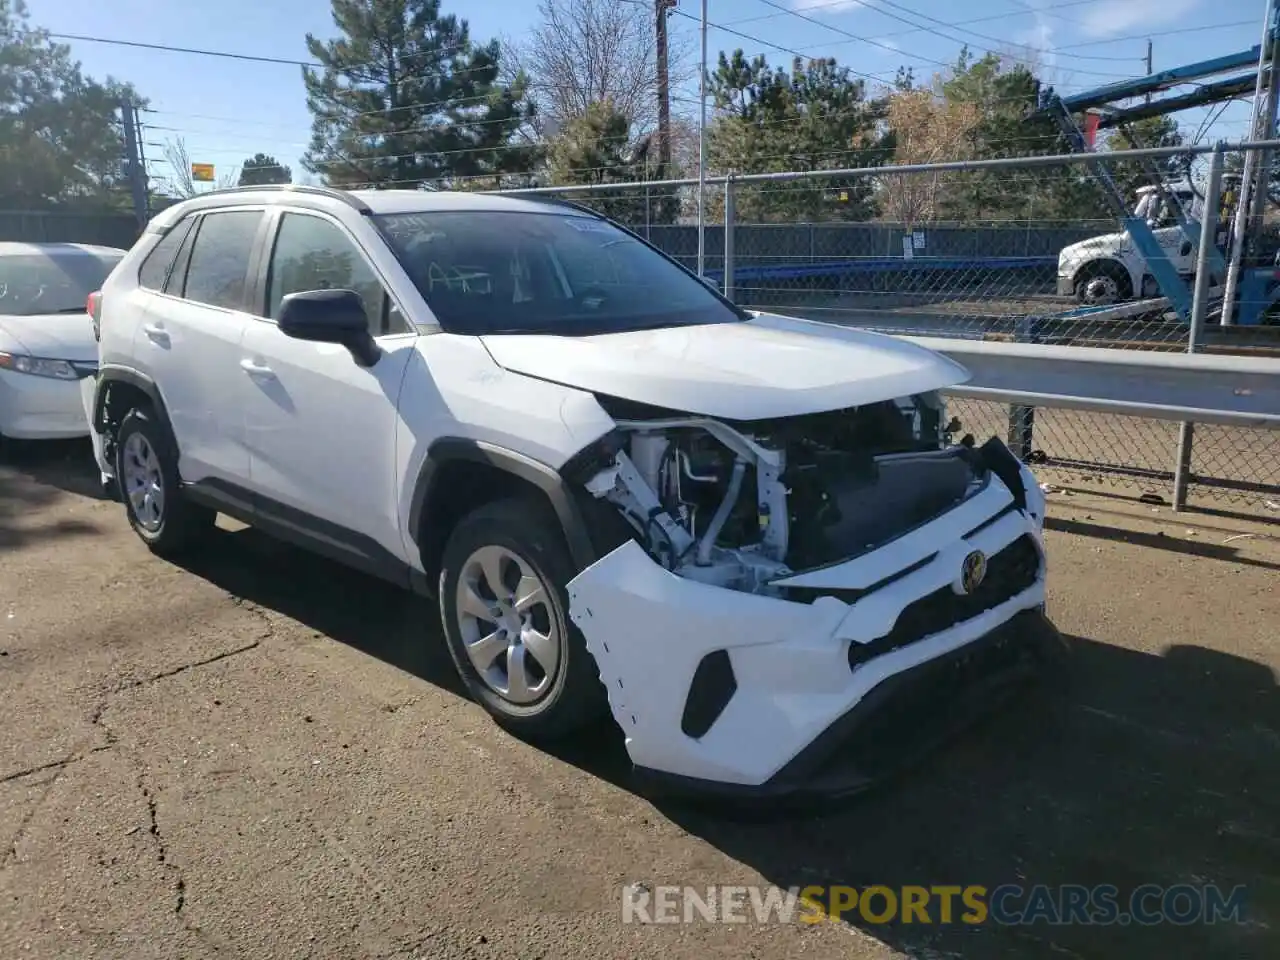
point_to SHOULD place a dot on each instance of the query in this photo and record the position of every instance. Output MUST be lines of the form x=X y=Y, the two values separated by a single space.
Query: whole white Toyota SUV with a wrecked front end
x=747 y=536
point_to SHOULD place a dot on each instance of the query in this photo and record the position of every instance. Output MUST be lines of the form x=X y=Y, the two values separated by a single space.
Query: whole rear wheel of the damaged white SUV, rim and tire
x=147 y=473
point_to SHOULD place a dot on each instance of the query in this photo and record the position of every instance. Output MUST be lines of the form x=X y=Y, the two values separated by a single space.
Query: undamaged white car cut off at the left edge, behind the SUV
x=47 y=340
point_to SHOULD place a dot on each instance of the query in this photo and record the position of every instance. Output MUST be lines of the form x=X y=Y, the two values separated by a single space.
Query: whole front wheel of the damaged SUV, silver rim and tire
x=506 y=621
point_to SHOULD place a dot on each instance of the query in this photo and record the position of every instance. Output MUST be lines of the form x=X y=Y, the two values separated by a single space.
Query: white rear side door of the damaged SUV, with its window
x=191 y=337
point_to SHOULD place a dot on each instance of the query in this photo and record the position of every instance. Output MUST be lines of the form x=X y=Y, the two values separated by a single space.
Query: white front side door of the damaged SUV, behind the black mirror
x=321 y=429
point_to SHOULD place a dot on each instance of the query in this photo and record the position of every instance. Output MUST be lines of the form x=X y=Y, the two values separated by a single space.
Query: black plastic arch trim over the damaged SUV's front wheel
x=463 y=474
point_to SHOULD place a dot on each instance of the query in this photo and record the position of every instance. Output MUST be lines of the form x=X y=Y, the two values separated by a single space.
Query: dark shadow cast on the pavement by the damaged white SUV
x=1137 y=770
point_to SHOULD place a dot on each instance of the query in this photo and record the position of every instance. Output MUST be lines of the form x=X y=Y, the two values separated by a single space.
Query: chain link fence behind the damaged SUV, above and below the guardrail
x=1096 y=250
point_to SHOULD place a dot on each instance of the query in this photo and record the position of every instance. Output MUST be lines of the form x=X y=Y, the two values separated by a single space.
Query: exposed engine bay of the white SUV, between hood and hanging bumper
x=743 y=505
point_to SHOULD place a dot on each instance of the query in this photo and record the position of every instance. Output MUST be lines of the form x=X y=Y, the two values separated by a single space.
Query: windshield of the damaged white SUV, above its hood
x=561 y=273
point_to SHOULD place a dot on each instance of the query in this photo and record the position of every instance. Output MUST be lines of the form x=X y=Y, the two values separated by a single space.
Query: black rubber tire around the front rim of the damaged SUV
x=575 y=697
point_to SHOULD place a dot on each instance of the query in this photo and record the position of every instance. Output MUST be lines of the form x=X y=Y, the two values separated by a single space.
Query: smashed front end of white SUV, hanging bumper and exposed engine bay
x=785 y=584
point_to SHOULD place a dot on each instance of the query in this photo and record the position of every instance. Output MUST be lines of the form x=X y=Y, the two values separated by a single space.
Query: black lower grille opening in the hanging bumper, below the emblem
x=1011 y=572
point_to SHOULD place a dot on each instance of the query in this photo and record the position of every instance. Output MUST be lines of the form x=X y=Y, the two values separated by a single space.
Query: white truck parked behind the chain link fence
x=1110 y=269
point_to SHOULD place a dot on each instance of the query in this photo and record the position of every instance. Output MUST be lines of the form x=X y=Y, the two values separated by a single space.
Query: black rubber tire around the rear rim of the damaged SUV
x=181 y=523
